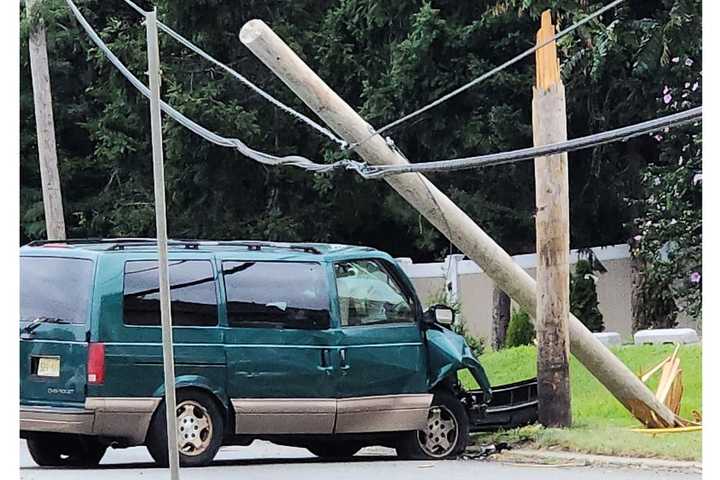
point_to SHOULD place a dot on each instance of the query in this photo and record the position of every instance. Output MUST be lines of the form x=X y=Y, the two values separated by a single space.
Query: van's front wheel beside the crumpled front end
x=445 y=410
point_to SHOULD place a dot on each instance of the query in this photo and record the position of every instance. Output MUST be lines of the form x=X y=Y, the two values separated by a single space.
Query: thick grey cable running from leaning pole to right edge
x=503 y=158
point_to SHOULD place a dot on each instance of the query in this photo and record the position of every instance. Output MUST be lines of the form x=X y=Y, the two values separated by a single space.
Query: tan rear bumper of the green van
x=126 y=419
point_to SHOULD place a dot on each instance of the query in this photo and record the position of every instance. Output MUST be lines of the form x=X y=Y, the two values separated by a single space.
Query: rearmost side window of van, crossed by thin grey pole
x=192 y=293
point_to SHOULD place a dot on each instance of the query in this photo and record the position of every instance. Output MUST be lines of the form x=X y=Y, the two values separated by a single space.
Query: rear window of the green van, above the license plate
x=55 y=287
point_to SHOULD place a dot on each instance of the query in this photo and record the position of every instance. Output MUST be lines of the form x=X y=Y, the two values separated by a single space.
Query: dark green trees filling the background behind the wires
x=386 y=59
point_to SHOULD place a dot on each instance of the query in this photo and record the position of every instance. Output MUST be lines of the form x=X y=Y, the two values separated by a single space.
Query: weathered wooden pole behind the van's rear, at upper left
x=44 y=124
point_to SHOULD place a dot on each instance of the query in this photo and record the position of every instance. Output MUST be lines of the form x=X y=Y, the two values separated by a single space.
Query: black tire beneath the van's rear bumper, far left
x=48 y=450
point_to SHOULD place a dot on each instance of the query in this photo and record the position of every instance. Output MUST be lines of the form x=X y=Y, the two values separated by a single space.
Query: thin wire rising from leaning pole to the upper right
x=488 y=74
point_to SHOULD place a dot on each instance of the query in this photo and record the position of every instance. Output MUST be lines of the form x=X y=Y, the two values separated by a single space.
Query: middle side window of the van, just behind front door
x=276 y=295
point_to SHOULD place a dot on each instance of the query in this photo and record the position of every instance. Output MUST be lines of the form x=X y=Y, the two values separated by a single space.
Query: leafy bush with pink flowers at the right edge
x=668 y=240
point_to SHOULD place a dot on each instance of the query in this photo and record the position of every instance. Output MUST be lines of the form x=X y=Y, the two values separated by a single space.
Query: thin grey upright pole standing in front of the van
x=161 y=232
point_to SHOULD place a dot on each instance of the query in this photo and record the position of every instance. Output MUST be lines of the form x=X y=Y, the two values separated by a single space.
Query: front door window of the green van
x=369 y=295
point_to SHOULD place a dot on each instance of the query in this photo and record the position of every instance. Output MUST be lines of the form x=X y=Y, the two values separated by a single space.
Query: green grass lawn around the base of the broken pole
x=600 y=423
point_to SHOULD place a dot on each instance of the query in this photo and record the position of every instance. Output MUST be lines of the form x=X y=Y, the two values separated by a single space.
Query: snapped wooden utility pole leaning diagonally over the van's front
x=447 y=217
